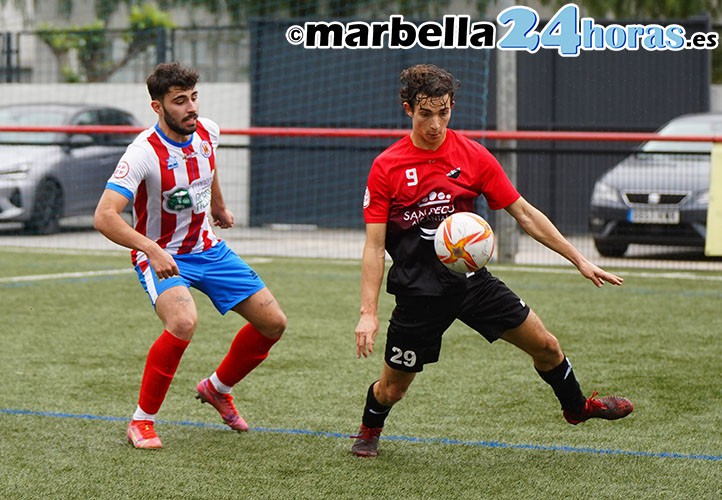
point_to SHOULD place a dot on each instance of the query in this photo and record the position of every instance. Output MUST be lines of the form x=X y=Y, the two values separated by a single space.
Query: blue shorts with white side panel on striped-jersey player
x=218 y=272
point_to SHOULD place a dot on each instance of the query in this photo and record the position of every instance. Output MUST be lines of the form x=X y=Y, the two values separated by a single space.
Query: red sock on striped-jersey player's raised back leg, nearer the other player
x=247 y=351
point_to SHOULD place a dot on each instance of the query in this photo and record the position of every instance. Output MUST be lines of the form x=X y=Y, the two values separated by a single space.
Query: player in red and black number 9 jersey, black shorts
x=412 y=186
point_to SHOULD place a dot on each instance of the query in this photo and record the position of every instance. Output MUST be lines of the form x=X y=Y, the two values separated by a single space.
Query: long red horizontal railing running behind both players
x=519 y=135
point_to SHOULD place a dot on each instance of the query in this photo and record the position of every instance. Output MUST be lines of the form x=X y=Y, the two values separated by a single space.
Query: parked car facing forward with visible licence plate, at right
x=658 y=195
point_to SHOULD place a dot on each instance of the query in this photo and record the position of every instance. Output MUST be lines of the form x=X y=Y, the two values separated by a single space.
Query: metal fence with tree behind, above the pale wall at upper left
x=121 y=56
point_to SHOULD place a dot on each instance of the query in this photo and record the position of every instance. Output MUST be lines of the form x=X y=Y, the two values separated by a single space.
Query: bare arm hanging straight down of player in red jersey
x=372 y=274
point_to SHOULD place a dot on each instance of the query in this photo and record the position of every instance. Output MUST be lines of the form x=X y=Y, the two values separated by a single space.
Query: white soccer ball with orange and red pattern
x=464 y=242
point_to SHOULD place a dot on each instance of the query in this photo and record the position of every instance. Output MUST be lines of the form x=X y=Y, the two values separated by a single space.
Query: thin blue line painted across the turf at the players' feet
x=408 y=439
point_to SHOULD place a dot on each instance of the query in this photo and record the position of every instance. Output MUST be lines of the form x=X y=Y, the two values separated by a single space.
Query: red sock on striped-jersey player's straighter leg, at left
x=163 y=359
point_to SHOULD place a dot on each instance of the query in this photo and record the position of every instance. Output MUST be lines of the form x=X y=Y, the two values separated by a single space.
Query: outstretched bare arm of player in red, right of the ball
x=538 y=226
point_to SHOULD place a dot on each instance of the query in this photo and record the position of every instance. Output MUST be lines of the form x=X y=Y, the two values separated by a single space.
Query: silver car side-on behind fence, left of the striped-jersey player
x=46 y=176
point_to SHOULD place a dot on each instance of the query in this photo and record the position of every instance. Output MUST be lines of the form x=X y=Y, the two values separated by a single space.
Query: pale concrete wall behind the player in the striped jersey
x=228 y=104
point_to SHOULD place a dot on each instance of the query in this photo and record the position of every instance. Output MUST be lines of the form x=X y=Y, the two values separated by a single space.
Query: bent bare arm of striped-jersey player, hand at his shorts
x=110 y=223
